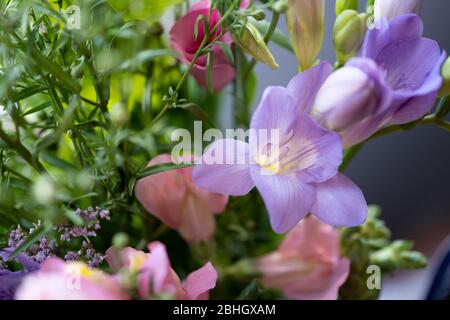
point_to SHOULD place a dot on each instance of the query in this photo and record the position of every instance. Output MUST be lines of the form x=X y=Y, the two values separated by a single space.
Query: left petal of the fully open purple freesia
x=224 y=168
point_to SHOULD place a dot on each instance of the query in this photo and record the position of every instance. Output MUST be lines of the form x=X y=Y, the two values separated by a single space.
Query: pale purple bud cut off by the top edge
x=389 y=9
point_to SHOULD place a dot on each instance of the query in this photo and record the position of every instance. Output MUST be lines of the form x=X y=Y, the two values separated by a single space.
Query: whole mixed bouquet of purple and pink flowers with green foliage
x=134 y=166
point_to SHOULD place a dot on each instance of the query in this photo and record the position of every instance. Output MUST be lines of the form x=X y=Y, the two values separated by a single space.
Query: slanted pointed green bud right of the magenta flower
x=251 y=41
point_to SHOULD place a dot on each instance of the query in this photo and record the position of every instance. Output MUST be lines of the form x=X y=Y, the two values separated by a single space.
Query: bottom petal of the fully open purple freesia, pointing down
x=287 y=199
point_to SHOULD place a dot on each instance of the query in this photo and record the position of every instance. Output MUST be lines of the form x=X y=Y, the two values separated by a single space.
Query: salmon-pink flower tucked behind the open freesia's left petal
x=173 y=198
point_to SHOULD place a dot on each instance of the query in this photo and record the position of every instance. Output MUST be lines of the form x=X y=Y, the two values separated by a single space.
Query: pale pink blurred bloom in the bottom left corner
x=59 y=280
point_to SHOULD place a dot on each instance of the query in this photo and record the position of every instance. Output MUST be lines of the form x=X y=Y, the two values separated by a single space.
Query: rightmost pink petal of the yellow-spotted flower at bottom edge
x=199 y=282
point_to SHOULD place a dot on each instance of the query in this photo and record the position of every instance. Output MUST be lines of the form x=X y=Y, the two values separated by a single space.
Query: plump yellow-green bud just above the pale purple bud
x=349 y=31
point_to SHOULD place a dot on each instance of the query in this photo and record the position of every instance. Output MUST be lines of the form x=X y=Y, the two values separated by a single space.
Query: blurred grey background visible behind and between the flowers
x=407 y=174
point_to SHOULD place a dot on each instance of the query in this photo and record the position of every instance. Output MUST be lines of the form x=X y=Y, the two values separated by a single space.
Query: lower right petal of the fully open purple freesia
x=340 y=202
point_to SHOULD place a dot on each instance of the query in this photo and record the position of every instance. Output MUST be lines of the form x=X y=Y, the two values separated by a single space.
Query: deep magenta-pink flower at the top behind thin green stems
x=182 y=40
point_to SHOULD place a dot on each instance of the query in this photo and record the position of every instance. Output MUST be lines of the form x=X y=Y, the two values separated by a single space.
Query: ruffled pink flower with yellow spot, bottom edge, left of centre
x=155 y=275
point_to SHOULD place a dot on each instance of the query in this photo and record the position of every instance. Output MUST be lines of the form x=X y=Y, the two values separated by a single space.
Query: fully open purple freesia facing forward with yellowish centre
x=298 y=173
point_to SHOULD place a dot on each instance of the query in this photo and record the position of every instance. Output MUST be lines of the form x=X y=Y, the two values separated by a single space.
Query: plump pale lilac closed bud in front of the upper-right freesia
x=346 y=97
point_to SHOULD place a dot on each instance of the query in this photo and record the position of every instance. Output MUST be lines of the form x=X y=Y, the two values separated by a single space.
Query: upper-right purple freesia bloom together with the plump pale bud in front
x=394 y=80
